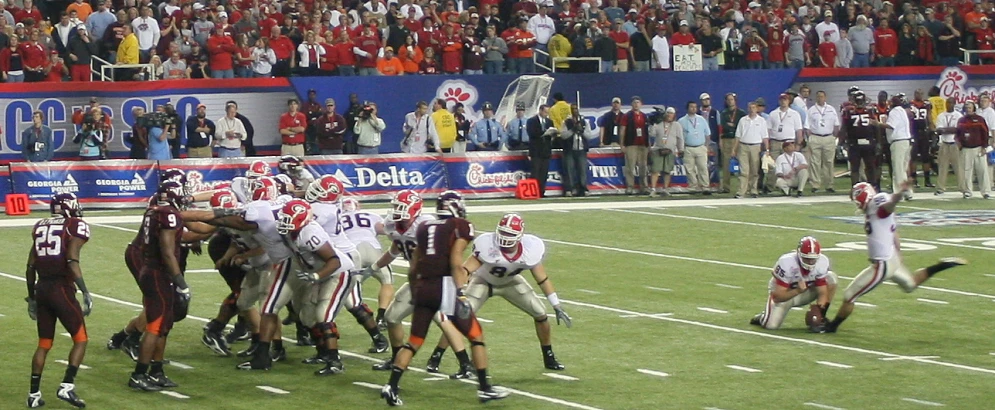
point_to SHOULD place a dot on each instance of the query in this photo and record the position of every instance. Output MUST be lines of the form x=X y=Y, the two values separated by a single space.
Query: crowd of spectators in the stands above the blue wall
x=56 y=40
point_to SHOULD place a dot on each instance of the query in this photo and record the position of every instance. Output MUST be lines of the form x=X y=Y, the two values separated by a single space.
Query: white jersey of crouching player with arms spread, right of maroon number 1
x=499 y=269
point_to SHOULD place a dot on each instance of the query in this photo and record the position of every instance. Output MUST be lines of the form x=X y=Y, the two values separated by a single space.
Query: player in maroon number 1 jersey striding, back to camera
x=437 y=278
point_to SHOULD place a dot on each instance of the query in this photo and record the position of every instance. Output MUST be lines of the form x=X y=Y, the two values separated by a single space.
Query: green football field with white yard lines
x=660 y=291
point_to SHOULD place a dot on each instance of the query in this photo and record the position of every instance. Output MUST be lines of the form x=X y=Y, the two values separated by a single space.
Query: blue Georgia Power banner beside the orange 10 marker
x=111 y=184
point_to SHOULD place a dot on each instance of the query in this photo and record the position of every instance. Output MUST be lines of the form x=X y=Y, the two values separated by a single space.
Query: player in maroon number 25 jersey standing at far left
x=54 y=262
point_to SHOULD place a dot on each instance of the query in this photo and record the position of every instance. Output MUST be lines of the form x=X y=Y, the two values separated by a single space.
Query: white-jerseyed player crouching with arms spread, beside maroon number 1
x=495 y=263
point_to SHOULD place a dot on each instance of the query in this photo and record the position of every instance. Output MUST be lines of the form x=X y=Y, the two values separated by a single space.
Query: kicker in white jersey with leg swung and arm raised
x=883 y=250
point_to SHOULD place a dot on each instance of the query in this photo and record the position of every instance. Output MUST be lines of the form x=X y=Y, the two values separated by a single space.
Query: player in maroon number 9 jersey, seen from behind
x=162 y=284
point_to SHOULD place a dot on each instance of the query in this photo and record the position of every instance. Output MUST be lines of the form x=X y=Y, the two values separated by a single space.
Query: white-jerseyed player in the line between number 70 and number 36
x=324 y=196
